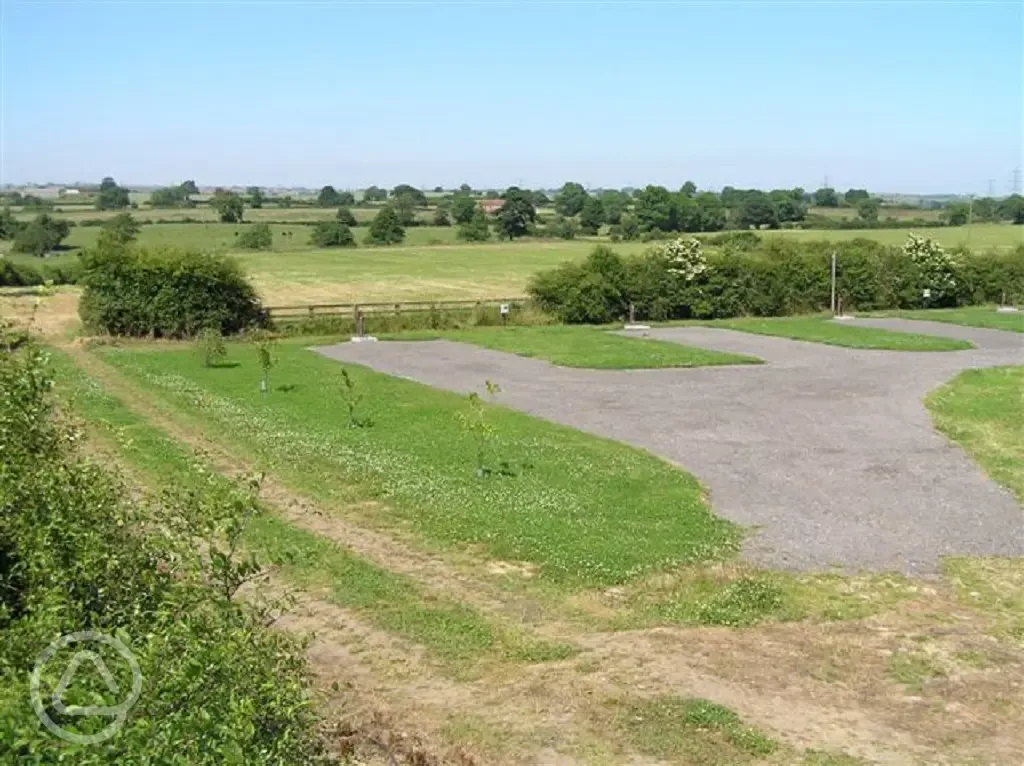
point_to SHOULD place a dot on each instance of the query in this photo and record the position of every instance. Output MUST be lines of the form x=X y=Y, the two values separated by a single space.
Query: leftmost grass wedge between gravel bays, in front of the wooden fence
x=584 y=348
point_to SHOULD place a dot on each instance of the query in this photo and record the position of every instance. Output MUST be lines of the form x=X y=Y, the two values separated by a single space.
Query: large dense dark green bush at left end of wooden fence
x=166 y=293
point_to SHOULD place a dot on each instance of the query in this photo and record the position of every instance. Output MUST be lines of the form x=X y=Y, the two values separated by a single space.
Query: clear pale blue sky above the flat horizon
x=907 y=97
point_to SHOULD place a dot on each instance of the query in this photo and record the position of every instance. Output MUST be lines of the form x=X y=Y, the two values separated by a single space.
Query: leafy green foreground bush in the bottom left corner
x=78 y=554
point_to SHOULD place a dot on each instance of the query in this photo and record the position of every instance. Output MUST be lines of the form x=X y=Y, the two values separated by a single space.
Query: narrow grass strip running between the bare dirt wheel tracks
x=451 y=631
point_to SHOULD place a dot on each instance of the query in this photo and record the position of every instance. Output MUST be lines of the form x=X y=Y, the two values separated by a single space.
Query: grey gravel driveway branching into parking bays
x=827 y=454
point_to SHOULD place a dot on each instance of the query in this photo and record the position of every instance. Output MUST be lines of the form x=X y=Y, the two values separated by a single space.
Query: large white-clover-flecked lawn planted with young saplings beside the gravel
x=586 y=512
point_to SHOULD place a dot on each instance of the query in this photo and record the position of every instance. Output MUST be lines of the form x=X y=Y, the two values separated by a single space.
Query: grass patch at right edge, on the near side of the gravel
x=984 y=412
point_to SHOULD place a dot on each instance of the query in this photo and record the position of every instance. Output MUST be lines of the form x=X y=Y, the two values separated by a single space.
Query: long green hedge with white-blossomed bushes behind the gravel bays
x=776 y=278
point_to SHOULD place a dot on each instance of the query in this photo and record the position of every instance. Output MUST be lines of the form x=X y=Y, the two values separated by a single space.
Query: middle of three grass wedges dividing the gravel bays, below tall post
x=823 y=330
